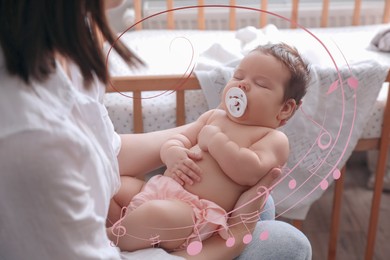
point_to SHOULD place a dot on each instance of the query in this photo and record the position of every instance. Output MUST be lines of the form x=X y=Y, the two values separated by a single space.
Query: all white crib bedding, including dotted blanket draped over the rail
x=213 y=68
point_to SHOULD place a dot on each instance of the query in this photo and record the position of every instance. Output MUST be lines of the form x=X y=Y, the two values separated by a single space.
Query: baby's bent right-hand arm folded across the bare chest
x=253 y=162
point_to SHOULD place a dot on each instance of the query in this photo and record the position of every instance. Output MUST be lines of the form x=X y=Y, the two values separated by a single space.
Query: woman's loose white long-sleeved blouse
x=58 y=168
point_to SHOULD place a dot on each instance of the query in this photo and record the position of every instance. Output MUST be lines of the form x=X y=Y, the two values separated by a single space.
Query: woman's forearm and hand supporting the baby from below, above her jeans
x=215 y=246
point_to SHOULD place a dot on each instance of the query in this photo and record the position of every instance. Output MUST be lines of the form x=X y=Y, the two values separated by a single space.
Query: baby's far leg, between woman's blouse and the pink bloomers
x=130 y=186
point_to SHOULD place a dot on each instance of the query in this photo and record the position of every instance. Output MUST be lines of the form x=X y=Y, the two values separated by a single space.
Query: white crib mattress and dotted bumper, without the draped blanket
x=159 y=113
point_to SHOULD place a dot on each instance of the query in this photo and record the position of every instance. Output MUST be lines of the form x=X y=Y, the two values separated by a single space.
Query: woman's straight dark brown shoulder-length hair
x=33 y=31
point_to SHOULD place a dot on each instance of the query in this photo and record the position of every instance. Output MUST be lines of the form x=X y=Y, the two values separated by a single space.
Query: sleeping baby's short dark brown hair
x=298 y=67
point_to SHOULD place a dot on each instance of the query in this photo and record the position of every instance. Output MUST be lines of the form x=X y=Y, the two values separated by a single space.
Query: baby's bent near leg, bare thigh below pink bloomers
x=164 y=222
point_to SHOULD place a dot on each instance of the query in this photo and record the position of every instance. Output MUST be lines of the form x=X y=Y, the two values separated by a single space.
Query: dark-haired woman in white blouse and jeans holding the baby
x=58 y=151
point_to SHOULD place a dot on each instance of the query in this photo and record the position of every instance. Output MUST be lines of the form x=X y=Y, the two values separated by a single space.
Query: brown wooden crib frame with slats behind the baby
x=138 y=84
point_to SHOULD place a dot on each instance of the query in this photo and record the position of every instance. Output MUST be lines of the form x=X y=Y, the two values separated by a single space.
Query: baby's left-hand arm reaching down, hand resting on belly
x=177 y=156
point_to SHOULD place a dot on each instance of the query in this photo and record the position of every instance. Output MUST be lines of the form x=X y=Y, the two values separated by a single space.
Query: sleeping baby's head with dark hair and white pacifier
x=267 y=87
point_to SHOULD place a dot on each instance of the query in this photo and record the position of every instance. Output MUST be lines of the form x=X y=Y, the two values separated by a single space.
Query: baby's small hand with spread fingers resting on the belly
x=181 y=166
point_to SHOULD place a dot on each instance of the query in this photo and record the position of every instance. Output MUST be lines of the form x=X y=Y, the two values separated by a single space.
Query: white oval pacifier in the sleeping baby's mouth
x=236 y=101
